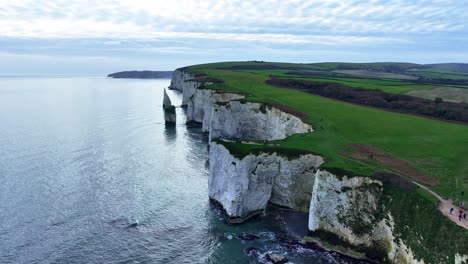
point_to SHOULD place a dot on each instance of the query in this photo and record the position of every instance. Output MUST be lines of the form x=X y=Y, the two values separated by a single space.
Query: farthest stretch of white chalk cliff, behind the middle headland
x=224 y=115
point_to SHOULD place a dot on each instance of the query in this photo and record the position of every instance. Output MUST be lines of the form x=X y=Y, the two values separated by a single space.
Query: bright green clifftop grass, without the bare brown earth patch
x=436 y=148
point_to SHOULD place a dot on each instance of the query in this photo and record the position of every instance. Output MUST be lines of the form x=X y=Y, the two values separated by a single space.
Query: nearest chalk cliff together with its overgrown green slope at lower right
x=361 y=212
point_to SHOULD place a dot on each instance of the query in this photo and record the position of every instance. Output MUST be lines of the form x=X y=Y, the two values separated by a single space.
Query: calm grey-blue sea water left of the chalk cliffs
x=82 y=160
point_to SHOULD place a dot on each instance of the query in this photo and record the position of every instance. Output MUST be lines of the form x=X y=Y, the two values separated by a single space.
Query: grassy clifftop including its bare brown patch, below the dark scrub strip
x=432 y=152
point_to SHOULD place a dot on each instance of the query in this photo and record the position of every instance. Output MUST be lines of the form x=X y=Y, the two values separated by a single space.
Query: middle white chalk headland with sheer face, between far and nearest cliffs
x=243 y=187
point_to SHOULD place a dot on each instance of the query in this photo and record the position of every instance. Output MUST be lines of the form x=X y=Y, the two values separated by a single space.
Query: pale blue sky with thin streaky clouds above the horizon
x=98 y=37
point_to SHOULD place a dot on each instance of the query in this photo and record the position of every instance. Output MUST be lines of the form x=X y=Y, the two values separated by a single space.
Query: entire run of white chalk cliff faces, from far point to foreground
x=348 y=207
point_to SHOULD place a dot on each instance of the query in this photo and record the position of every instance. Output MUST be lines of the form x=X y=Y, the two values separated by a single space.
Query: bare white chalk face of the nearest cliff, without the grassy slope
x=351 y=208
